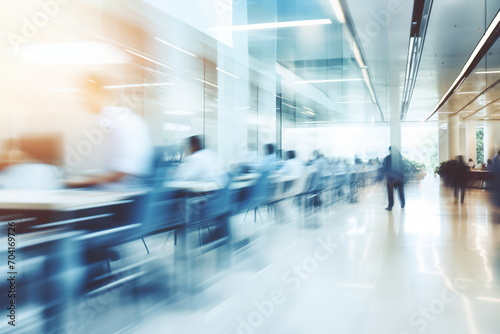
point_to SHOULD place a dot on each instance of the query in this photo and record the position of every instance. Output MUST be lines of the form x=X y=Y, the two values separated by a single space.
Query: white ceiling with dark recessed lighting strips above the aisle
x=455 y=27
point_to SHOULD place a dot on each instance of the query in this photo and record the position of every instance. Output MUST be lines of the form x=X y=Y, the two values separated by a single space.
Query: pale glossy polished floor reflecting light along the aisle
x=355 y=268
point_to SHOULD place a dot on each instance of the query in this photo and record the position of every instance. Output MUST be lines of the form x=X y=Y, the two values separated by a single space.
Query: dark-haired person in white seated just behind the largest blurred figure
x=201 y=164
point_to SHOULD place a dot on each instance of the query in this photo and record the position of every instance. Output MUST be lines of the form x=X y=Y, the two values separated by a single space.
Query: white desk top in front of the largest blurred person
x=60 y=200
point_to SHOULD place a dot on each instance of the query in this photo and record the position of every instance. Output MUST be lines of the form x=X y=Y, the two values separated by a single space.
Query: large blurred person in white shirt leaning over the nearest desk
x=126 y=141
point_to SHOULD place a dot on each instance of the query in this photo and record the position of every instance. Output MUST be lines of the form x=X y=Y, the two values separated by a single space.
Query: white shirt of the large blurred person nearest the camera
x=129 y=148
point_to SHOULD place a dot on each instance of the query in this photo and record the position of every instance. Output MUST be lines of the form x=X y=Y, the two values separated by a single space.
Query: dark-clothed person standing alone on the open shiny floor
x=392 y=166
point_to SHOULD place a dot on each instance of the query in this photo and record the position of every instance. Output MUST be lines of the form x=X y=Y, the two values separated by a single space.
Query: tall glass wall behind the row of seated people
x=187 y=71
